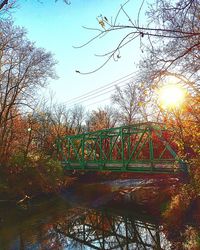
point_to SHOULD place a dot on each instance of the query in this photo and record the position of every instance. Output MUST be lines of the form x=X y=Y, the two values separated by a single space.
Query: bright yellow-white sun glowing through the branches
x=171 y=96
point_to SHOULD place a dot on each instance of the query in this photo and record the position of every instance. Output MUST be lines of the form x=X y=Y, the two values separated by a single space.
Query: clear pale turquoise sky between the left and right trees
x=58 y=27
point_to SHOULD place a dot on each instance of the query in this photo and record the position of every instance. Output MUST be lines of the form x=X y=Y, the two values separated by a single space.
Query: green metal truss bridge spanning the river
x=146 y=148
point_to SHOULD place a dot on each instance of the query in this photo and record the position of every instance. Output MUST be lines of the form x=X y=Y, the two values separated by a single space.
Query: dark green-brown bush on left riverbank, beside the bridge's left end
x=32 y=175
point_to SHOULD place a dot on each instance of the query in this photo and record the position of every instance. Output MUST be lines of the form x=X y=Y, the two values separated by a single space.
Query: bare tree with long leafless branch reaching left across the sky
x=167 y=24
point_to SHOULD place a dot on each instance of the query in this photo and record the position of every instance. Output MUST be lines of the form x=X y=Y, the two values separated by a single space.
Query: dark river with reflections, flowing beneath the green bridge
x=90 y=216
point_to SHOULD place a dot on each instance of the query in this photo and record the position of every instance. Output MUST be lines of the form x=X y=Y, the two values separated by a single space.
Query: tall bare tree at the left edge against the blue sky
x=23 y=69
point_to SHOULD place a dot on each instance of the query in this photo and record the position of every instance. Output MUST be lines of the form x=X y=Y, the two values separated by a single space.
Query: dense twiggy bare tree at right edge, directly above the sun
x=176 y=55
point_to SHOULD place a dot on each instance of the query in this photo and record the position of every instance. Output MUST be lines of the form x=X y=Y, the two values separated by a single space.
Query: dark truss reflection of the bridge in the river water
x=95 y=229
